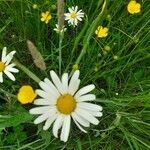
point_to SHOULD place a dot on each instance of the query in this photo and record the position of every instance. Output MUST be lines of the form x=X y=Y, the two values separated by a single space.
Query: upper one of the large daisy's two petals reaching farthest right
x=89 y=106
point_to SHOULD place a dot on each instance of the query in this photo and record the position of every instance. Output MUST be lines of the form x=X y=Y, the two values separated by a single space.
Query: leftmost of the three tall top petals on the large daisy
x=57 y=81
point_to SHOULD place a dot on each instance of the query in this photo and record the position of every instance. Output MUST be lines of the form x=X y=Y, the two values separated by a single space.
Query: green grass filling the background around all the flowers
x=125 y=121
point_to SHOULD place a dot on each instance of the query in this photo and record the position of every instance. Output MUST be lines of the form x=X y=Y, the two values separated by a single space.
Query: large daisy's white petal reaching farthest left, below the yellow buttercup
x=40 y=110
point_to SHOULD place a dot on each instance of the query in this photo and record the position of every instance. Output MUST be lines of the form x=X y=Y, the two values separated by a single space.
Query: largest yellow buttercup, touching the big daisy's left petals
x=26 y=94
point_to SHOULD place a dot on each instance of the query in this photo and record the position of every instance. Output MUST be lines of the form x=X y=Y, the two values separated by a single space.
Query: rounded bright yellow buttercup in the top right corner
x=134 y=7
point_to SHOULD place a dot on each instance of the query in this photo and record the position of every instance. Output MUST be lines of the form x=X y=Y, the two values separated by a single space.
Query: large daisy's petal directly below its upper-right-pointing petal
x=88 y=97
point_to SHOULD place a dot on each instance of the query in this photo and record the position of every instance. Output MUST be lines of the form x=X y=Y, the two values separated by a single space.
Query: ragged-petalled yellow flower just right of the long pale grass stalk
x=101 y=32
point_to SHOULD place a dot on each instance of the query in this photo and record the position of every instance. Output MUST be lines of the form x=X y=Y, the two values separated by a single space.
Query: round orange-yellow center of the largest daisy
x=66 y=104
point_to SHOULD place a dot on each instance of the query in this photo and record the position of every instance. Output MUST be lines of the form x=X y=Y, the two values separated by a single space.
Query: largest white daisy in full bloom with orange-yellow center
x=61 y=101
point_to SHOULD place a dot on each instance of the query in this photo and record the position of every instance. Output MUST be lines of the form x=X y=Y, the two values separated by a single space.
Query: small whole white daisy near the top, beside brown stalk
x=74 y=15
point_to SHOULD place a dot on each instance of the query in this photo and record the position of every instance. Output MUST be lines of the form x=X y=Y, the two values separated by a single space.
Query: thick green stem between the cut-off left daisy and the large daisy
x=27 y=71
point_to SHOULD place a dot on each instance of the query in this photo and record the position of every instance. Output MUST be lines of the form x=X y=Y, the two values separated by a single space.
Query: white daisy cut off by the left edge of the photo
x=6 y=67
